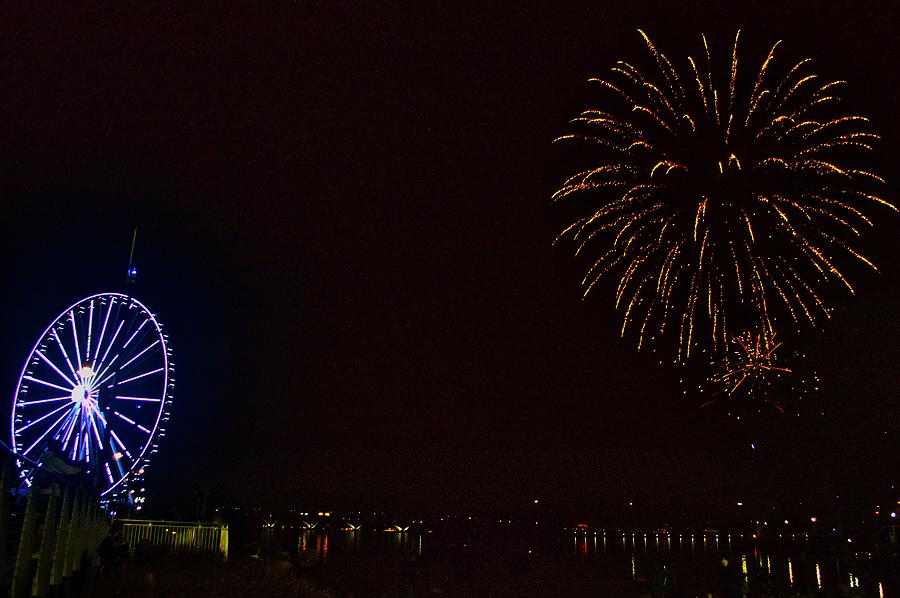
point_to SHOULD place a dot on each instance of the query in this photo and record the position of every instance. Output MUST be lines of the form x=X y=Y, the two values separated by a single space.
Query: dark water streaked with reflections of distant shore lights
x=509 y=563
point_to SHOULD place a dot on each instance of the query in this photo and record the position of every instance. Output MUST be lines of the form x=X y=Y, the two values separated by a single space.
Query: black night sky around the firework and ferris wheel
x=344 y=219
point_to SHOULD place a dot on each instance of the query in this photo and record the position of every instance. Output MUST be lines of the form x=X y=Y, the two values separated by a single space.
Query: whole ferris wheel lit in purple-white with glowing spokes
x=96 y=390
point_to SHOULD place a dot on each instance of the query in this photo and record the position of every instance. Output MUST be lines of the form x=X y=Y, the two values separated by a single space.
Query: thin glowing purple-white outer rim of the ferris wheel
x=164 y=400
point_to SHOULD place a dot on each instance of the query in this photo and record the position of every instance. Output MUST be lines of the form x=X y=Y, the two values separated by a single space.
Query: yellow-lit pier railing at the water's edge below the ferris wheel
x=182 y=536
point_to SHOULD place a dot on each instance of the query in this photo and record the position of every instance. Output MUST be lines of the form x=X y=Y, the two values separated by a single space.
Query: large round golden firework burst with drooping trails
x=721 y=197
